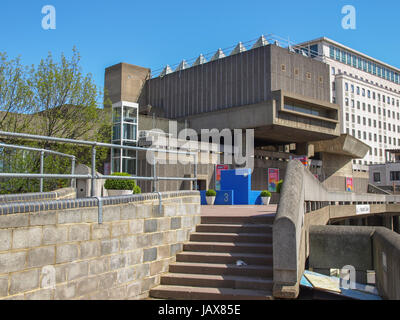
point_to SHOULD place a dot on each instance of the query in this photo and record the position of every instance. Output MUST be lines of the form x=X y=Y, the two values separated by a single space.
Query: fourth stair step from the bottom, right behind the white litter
x=221 y=257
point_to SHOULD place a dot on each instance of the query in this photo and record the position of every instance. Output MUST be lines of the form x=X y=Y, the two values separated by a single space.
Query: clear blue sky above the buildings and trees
x=155 y=33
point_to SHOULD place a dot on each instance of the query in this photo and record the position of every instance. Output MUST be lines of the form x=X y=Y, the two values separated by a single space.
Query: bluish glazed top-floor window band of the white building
x=363 y=64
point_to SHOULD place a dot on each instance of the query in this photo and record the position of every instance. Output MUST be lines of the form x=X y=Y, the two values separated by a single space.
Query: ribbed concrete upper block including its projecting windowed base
x=251 y=90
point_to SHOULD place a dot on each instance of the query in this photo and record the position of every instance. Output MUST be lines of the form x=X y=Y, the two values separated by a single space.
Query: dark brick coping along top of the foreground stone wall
x=37 y=206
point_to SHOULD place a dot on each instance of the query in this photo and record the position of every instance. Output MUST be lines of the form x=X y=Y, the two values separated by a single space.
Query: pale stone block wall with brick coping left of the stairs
x=65 y=254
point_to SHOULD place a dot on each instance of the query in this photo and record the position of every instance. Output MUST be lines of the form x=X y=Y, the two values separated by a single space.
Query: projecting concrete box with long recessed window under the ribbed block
x=273 y=122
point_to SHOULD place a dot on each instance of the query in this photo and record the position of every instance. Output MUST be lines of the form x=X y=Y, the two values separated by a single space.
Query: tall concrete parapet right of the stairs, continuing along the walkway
x=305 y=202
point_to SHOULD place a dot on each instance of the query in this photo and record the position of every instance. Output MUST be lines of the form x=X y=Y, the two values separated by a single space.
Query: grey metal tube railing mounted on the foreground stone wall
x=93 y=176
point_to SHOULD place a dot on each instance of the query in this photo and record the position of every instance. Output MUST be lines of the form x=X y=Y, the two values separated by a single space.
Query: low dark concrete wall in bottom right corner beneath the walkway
x=364 y=248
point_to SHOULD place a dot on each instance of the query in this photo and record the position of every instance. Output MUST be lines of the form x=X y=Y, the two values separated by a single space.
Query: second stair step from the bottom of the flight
x=216 y=281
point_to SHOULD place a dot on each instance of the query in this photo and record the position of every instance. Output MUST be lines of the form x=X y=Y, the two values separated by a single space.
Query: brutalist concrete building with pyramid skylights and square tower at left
x=281 y=94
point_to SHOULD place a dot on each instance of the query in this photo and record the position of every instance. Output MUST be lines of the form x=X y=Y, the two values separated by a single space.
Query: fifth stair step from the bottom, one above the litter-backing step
x=228 y=247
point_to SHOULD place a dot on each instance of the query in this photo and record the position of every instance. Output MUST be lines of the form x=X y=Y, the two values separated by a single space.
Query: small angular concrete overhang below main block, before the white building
x=344 y=145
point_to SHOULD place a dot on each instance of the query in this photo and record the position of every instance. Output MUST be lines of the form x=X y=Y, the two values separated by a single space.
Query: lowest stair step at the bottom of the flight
x=205 y=293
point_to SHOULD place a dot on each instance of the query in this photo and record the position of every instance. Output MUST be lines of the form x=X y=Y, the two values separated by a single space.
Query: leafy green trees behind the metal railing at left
x=56 y=99
